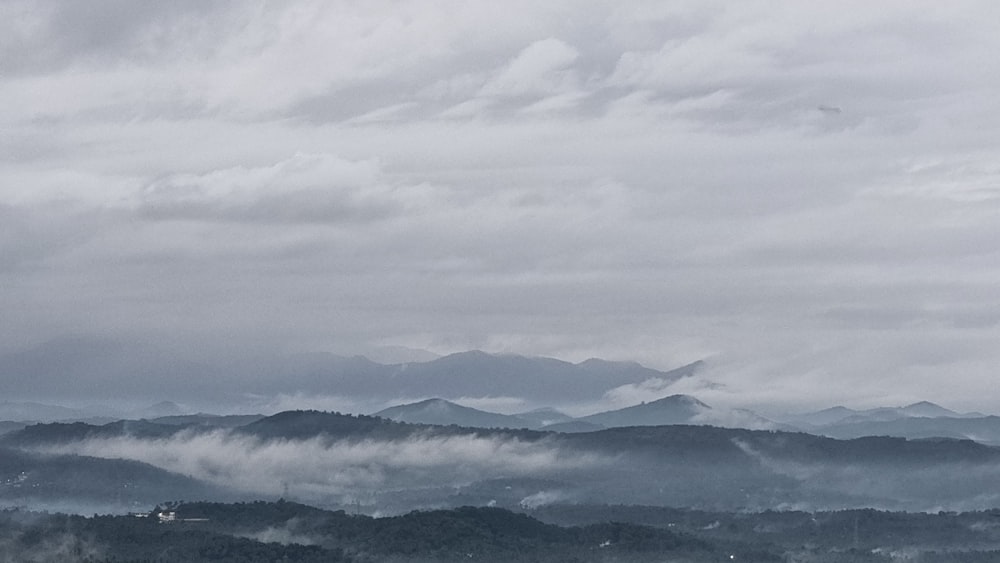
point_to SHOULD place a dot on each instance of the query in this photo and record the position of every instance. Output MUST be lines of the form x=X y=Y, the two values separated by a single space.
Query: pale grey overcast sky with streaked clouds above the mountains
x=805 y=195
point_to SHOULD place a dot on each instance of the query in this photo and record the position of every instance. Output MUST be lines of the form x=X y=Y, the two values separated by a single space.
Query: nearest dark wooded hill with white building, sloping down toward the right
x=282 y=531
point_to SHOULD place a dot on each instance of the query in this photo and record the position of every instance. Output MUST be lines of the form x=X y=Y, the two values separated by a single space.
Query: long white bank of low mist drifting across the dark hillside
x=337 y=468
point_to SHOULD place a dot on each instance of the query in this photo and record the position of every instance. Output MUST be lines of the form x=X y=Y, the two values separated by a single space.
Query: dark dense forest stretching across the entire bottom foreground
x=288 y=531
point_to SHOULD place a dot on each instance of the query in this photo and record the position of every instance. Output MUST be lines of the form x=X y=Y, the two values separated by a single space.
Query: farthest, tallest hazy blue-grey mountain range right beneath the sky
x=91 y=369
